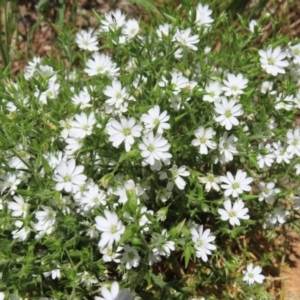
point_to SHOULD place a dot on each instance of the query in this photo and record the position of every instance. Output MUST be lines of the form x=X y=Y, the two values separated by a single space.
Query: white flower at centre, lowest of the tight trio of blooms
x=154 y=148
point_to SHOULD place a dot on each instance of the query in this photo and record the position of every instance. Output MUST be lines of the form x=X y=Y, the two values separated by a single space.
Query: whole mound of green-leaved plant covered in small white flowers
x=150 y=160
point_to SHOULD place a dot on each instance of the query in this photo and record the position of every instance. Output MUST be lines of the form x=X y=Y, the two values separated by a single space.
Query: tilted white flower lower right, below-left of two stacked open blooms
x=202 y=242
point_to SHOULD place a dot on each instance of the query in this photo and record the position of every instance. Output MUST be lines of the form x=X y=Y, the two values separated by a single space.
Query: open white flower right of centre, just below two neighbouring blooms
x=228 y=111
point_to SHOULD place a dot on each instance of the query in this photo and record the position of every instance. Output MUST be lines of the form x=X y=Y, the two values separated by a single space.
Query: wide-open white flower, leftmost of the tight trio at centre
x=123 y=131
